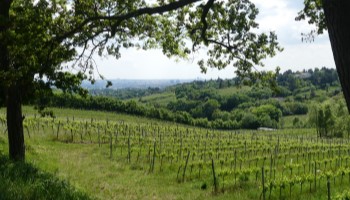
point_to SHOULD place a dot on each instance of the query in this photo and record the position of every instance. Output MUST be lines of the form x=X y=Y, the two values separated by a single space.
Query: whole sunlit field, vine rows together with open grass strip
x=114 y=156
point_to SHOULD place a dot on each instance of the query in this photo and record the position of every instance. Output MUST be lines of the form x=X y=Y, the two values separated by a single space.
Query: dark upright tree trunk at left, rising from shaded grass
x=12 y=92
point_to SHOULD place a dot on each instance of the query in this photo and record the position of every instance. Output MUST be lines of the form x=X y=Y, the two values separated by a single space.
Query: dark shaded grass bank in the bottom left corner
x=24 y=181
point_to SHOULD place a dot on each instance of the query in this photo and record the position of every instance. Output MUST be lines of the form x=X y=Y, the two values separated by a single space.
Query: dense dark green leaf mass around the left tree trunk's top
x=34 y=54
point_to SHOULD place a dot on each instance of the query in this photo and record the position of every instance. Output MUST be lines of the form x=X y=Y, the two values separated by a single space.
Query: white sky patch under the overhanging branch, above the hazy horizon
x=152 y=64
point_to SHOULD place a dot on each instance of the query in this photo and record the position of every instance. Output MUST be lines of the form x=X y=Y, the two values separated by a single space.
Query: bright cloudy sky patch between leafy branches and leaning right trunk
x=279 y=16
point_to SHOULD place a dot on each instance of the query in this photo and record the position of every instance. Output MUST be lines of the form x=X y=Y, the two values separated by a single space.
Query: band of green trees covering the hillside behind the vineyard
x=200 y=104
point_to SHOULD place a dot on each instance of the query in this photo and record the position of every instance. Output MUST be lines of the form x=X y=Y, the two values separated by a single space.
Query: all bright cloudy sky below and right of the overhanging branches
x=275 y=15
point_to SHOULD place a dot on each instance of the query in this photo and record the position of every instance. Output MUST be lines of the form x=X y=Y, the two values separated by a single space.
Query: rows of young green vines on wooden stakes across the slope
x=277 y=165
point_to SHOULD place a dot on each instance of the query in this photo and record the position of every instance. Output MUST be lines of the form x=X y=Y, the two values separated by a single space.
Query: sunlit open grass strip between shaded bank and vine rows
x=89 y=168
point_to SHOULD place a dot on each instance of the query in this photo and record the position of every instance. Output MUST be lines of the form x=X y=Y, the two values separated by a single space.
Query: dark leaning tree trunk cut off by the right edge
x=337 y=13
